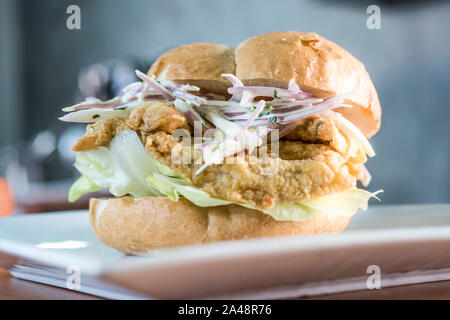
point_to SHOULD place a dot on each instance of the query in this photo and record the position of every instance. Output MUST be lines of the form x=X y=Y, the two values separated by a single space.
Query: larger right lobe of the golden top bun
x=318 y=65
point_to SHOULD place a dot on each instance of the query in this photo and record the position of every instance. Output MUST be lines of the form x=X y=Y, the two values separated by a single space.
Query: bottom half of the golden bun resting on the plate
x=137 y=226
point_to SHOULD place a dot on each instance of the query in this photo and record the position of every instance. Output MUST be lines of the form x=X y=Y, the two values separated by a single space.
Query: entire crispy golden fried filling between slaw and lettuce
x=314 y=160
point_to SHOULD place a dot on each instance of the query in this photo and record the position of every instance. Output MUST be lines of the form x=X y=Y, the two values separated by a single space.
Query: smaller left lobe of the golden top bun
x=199 y=64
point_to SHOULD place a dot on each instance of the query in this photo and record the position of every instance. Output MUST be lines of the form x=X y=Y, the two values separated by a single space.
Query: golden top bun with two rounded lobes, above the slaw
x=319 y=66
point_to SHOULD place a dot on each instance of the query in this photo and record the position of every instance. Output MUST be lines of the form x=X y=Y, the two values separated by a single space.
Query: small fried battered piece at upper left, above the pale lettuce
x=148 y=118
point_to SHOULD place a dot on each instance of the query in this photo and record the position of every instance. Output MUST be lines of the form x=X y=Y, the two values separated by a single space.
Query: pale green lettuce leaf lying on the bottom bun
x=126 y=168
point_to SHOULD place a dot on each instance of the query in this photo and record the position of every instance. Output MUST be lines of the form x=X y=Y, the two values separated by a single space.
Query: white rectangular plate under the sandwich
x=409 y=244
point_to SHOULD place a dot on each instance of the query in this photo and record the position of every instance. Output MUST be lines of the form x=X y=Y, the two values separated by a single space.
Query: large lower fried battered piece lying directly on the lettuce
x=301 y=172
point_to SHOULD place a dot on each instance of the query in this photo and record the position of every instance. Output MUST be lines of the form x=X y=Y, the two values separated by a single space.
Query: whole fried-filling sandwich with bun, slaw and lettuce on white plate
x=216 y=144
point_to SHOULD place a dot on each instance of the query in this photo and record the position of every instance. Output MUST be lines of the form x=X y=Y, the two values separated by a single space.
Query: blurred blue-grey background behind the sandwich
x=408 y=59
